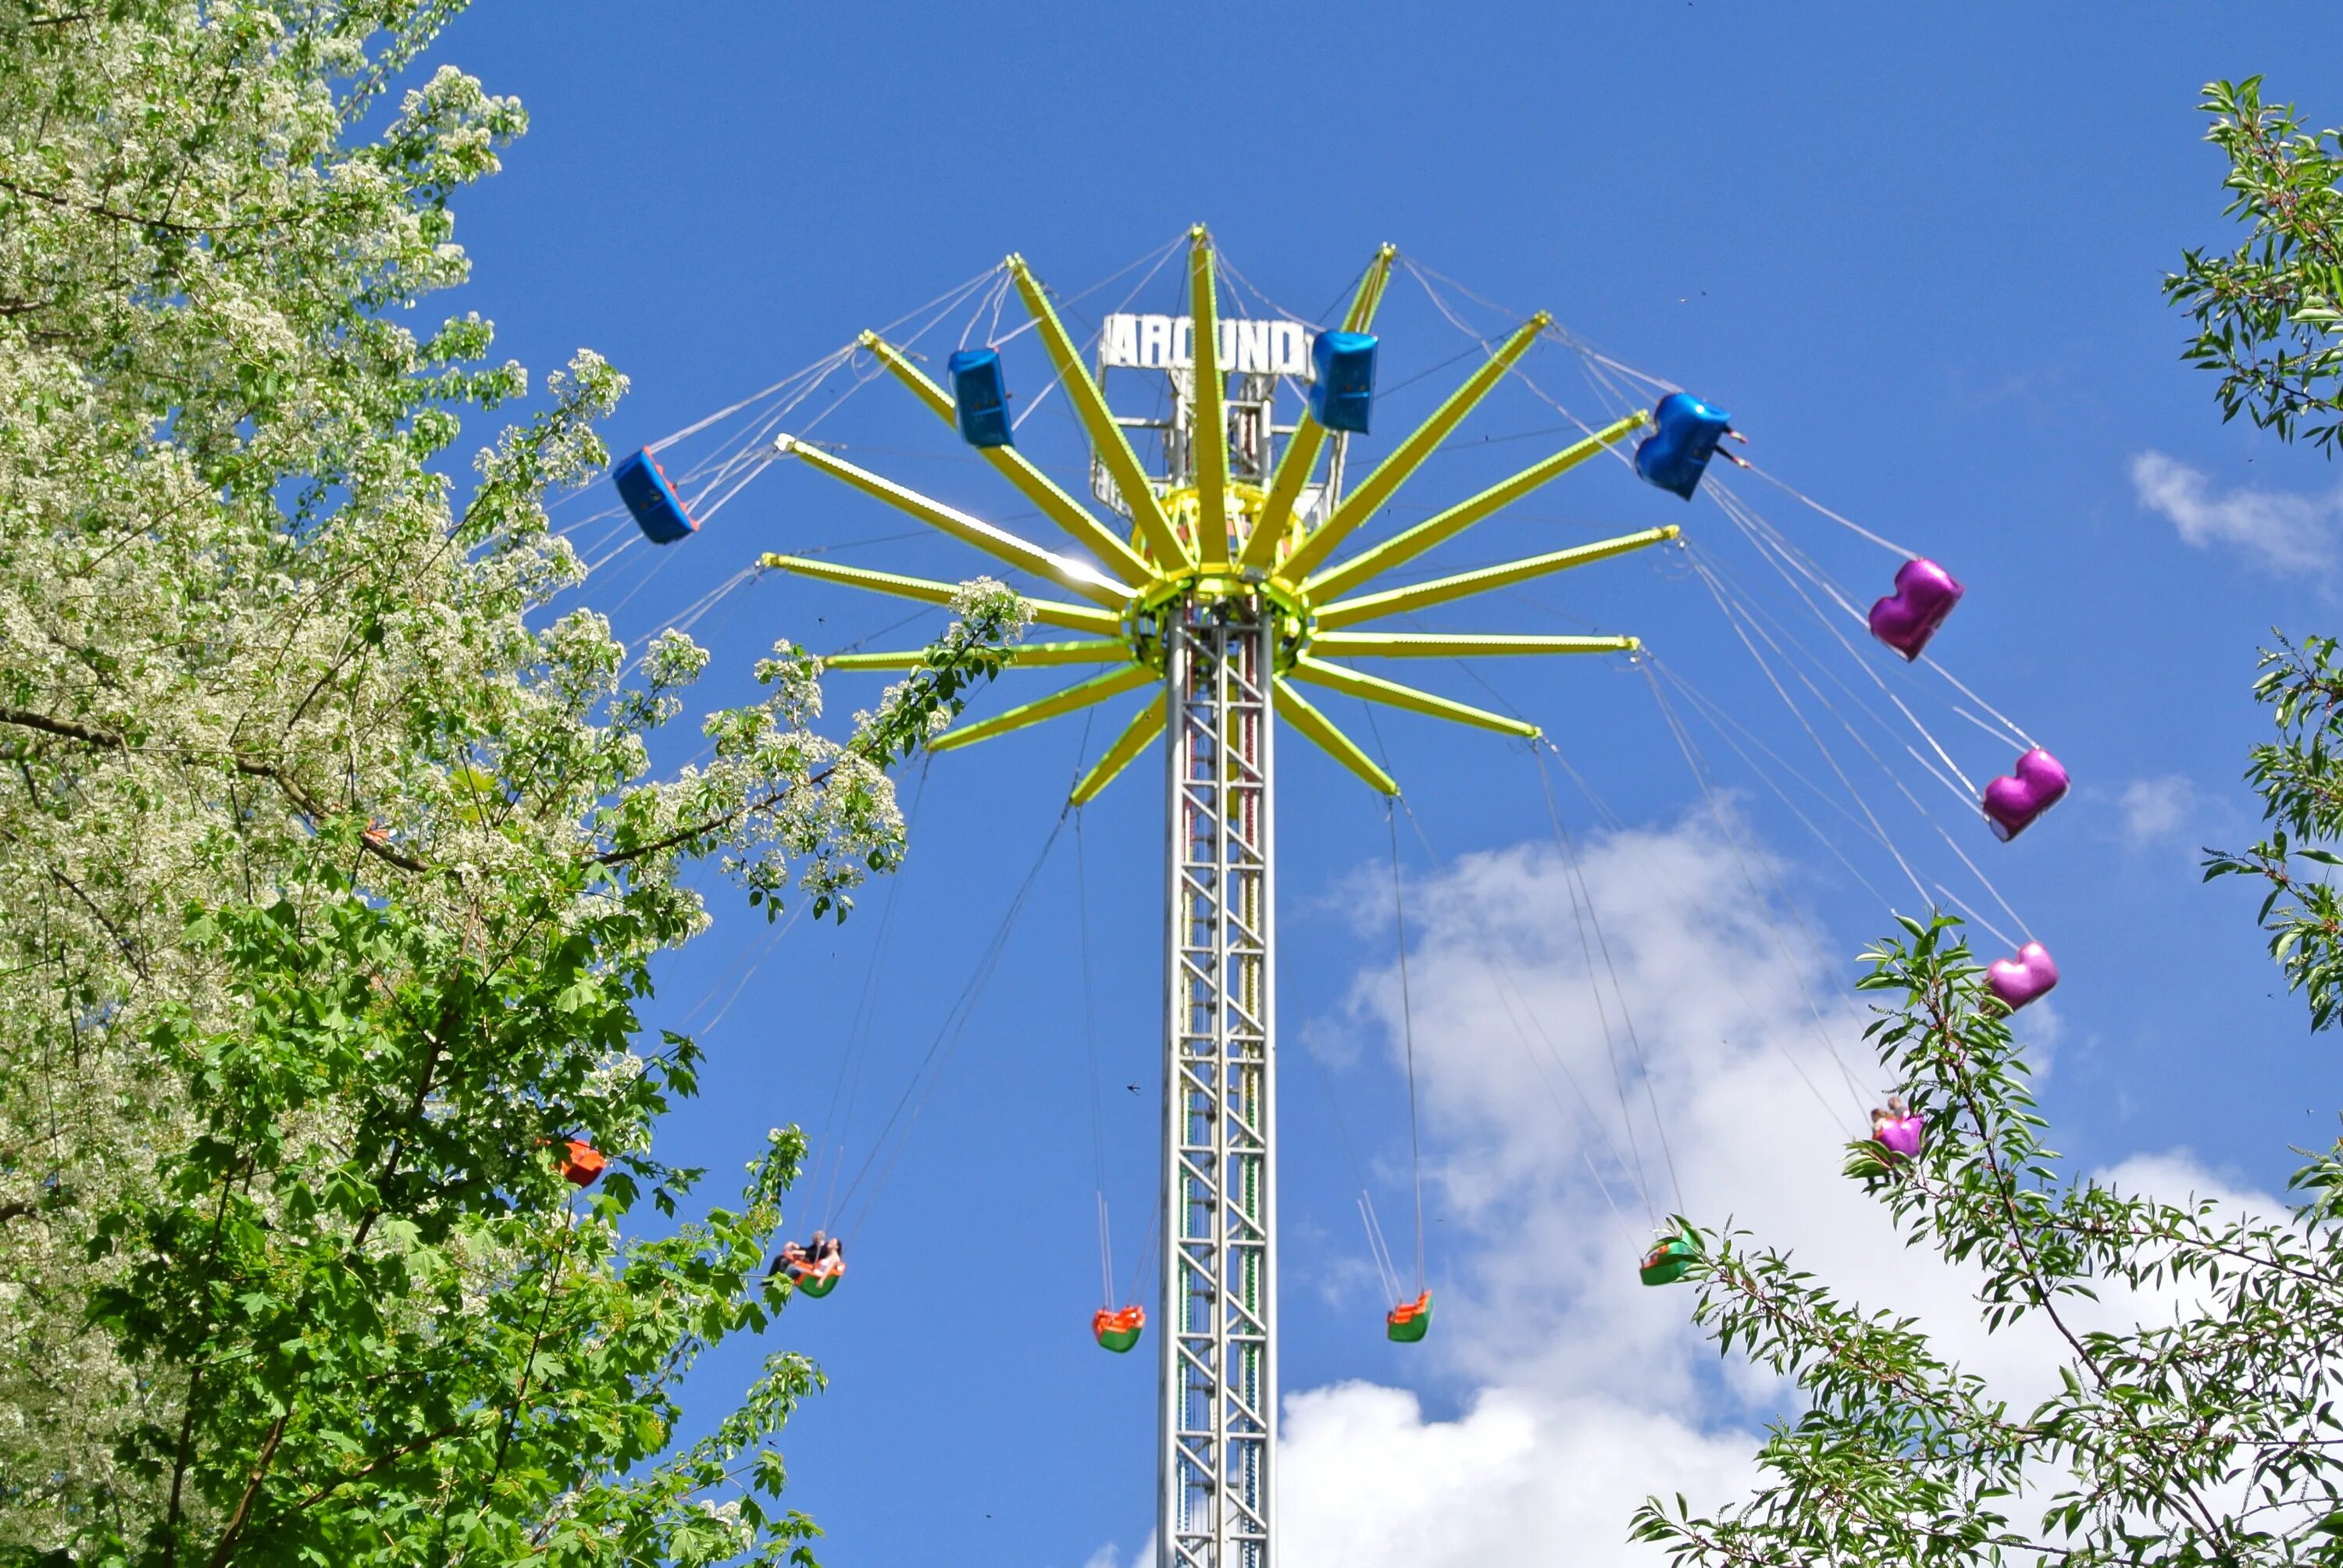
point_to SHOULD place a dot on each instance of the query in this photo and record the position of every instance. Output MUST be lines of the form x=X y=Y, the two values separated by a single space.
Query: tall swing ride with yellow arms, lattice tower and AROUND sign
x=1217 y=592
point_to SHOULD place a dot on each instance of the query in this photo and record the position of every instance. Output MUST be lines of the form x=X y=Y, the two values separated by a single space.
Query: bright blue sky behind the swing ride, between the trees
x=1915 y=254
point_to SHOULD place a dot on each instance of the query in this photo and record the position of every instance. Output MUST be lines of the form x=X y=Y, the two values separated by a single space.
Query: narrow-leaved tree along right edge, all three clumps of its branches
x=2208 y=1436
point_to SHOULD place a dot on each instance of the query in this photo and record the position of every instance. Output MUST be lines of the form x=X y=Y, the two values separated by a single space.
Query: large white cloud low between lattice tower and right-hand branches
x=1590 y=1391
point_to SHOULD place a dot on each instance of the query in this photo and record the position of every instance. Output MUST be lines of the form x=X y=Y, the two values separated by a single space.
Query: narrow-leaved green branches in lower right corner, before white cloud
x=2206 y=1438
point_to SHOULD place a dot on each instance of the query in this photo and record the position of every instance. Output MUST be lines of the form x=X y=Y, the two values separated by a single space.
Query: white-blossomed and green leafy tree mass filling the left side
x=329 y=885
